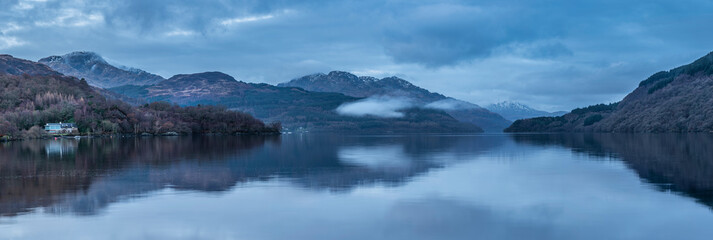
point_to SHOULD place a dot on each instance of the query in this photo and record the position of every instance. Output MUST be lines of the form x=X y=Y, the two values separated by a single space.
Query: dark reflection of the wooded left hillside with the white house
x=32 y=176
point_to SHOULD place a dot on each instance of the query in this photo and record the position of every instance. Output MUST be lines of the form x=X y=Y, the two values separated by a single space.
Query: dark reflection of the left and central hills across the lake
x=101 y=171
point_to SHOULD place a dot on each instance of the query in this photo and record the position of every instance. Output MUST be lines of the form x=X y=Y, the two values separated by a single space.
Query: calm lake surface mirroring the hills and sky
x=604 y=186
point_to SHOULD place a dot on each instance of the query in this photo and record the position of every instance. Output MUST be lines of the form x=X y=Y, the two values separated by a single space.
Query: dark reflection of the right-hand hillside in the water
x=677 y=162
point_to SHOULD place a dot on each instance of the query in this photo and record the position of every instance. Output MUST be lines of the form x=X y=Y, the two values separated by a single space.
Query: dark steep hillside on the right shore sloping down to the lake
x=679 y=100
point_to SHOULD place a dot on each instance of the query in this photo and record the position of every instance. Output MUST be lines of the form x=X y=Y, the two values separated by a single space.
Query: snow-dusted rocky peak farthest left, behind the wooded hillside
x=97 y=71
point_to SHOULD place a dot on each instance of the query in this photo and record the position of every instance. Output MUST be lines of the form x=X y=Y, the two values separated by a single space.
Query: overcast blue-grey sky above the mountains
x=553 y=55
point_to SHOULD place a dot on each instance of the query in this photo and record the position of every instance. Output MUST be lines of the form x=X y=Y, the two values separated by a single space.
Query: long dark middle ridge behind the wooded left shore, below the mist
x=294 y=107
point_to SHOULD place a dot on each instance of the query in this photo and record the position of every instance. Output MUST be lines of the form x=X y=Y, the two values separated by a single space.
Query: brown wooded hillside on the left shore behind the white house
x=32 y=95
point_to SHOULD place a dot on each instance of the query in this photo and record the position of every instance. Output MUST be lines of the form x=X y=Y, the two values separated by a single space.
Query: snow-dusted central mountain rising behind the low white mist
x=352 y=85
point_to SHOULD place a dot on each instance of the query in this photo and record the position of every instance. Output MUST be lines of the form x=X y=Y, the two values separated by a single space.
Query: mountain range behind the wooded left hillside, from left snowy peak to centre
x=294 y=107
